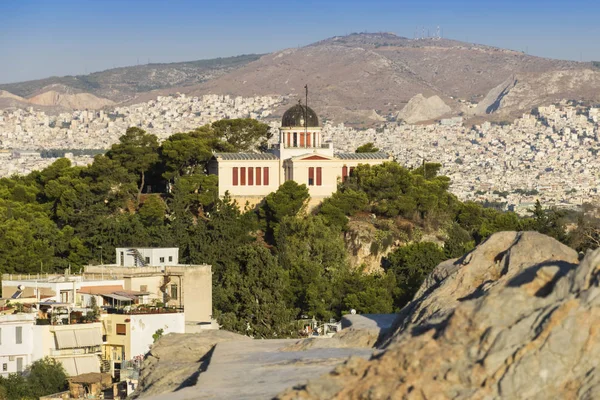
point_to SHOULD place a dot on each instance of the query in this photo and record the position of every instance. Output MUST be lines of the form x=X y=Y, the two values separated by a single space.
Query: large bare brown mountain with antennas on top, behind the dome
x=382 y=71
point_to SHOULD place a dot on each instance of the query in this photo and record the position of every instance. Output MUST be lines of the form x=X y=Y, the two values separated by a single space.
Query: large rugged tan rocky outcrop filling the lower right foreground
x=517 y=318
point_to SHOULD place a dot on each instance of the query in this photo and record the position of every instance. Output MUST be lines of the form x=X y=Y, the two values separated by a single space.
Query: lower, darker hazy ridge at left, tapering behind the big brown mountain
x=119 y=84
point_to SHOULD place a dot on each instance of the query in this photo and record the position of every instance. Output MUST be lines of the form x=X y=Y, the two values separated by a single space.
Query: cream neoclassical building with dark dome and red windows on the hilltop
x=301 y=155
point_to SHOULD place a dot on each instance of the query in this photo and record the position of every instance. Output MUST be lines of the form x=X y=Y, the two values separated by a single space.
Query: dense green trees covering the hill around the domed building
x=271 y=266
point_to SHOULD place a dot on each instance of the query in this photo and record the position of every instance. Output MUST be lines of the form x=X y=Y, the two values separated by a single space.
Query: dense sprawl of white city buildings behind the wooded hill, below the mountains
x=535 y=157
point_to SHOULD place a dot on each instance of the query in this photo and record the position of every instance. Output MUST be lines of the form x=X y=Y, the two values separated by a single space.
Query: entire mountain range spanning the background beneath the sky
x=359 y=79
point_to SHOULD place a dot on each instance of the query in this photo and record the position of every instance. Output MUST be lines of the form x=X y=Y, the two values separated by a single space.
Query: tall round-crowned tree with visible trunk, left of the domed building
x=137 y=152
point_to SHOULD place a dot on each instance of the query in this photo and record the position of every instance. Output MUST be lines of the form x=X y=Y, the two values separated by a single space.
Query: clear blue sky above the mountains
x=41 y=38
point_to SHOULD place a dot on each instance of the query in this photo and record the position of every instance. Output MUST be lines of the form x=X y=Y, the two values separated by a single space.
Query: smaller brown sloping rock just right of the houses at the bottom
x=176 y=359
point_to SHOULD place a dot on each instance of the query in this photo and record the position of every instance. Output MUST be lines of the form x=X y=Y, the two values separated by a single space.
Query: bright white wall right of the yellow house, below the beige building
x=143 y=326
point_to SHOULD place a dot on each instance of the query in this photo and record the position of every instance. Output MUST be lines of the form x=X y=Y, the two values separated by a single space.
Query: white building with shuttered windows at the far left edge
x=16 y=342
